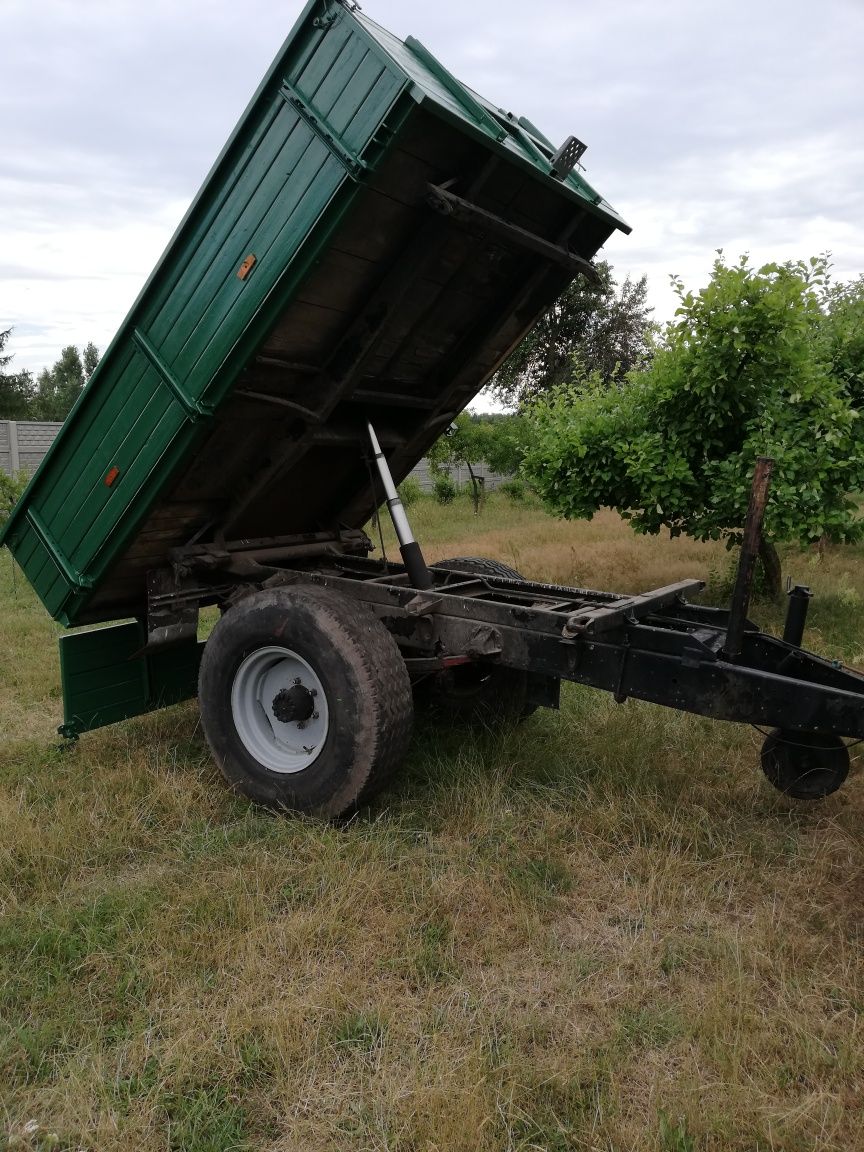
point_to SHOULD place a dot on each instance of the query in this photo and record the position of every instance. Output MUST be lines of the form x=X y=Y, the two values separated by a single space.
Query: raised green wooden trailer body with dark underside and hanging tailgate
x=373 y=241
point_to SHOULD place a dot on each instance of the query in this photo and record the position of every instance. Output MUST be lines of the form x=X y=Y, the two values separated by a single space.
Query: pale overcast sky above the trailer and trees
x=737 y=125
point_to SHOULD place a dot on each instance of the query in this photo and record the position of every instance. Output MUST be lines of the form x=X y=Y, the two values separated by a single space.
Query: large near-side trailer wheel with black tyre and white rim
x=306 y=701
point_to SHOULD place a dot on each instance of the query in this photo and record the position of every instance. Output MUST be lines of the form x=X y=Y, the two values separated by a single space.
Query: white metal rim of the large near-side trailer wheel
x=279 y=746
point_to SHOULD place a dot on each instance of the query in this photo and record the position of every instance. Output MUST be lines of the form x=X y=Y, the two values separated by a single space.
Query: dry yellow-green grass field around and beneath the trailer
x=602 y=931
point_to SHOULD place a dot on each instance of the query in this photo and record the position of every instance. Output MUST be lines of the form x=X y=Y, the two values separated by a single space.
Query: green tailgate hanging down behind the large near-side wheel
x=104 y=681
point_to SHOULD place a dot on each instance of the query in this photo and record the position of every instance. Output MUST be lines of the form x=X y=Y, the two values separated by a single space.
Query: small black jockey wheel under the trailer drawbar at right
x=805 y=766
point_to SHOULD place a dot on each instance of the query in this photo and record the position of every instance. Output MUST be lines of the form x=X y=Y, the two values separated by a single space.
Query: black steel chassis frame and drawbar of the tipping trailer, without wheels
x=657 y=647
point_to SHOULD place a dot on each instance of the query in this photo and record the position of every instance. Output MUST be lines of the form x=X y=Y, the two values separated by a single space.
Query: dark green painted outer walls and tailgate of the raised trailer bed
x=337 y=101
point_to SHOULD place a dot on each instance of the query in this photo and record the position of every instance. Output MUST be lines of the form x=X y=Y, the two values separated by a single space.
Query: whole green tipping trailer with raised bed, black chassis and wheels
x=370 y=245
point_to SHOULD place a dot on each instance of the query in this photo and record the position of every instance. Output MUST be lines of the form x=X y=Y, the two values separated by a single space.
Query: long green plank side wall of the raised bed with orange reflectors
x=276 y=193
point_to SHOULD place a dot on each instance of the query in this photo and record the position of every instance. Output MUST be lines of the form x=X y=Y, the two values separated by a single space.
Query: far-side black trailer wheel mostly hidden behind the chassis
x=478 y=692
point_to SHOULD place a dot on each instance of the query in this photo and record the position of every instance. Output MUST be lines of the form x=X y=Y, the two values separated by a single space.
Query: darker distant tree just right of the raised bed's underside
x=609 y=330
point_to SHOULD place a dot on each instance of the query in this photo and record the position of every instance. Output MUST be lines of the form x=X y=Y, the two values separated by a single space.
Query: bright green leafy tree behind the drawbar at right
x=744 y=373
